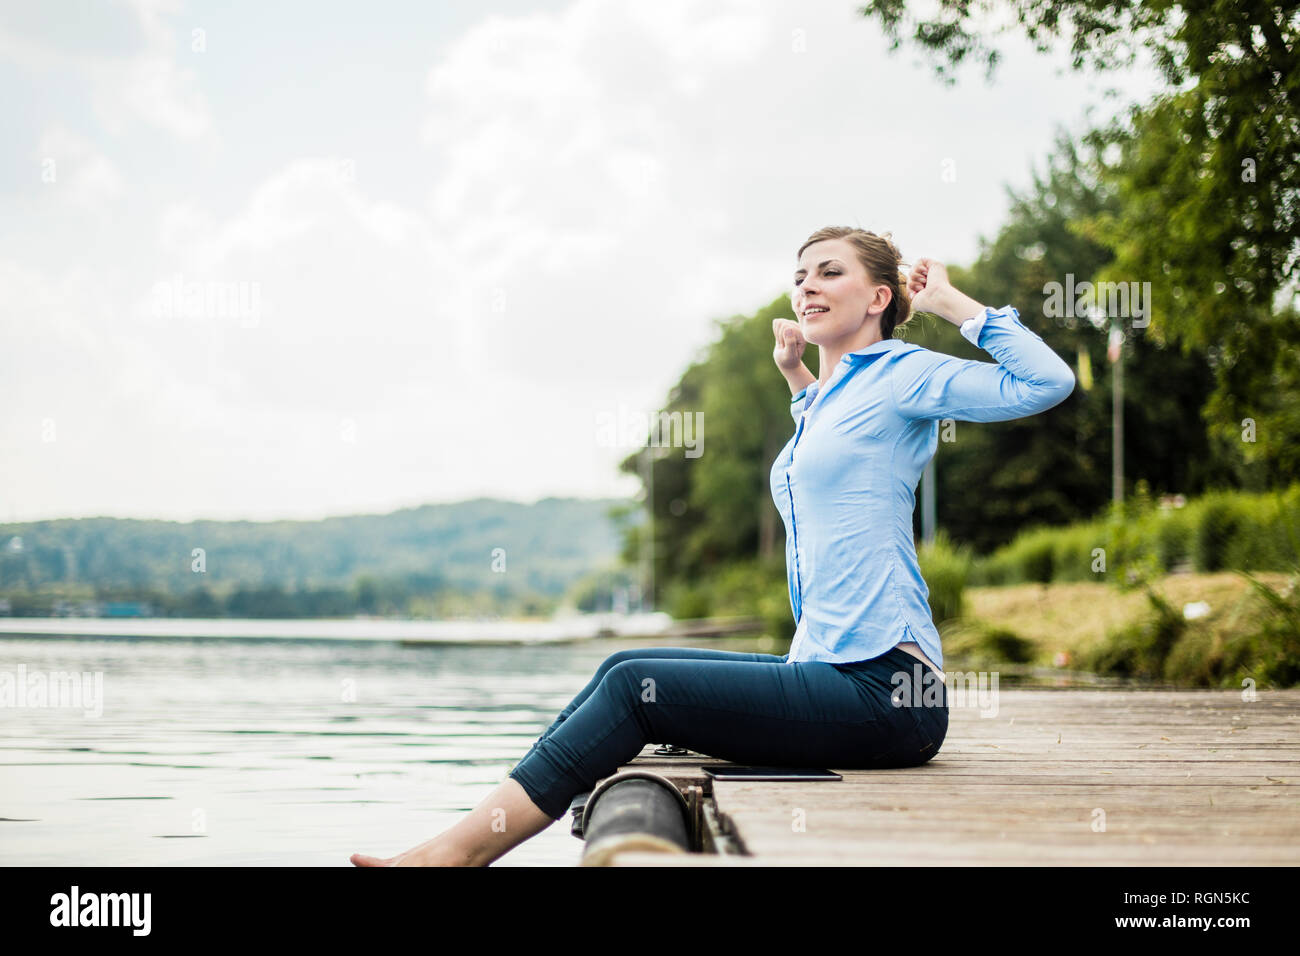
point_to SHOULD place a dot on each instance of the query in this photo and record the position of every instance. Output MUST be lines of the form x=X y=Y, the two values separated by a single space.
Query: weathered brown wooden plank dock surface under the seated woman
x=1058 y=777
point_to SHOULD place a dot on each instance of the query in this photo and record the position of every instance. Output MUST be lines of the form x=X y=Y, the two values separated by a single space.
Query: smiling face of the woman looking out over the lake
x=830 y=278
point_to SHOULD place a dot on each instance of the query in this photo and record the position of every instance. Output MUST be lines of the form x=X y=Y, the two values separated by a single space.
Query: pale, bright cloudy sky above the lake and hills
x=309 y=259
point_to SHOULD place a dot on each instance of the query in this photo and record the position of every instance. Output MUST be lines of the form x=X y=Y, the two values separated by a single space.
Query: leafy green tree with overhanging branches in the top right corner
x=1207 y=181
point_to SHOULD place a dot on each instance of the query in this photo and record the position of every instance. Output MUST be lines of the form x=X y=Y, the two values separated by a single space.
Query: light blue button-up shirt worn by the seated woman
x=846 y=483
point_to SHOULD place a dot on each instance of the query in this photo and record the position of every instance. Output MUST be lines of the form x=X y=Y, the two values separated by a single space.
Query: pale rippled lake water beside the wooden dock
x=250 y=752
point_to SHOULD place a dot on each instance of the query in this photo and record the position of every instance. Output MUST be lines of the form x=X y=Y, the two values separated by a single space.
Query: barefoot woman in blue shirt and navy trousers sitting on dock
x=863 y=685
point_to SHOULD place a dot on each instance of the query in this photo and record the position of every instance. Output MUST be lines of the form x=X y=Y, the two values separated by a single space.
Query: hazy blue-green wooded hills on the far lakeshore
x=484 y=557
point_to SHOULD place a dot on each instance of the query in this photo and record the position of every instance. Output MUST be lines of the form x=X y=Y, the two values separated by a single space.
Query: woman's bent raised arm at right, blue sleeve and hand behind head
x=1028 y=379
